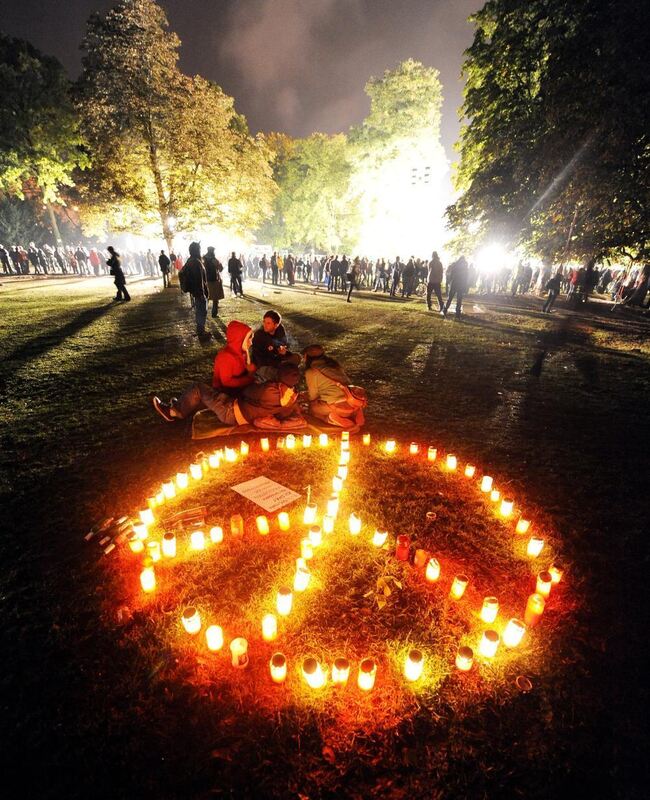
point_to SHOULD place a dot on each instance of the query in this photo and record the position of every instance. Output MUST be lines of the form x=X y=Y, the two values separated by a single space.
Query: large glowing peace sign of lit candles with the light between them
x=319 y=526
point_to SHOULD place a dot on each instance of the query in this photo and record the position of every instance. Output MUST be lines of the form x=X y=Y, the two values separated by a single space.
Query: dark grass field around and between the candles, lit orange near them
x=555 y=408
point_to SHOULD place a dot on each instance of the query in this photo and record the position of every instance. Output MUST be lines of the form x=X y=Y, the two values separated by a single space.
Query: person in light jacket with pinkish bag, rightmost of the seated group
x=330 y=398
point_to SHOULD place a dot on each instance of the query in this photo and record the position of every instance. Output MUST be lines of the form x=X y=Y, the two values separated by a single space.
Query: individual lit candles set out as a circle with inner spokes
x=313 y=672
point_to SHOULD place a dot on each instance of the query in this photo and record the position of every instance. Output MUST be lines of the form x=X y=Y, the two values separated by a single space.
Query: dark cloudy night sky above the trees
x=291 y=65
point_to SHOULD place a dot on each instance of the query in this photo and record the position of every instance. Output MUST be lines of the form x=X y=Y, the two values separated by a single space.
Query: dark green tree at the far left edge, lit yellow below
x=40 y=142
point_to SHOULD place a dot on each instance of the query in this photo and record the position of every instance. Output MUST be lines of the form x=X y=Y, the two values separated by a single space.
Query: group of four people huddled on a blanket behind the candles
x=255 y=379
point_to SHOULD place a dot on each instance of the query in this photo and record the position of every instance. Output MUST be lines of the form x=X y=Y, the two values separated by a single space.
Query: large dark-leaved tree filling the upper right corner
x=556 y=100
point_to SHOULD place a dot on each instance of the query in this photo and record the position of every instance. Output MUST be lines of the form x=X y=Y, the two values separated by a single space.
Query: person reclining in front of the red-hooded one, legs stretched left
x=267 y=405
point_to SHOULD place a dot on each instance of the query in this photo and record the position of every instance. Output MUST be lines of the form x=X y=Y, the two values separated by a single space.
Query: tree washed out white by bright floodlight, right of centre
x=398 y=161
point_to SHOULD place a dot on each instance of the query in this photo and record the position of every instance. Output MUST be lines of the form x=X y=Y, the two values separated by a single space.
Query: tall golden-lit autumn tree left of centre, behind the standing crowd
x=167 y=149
